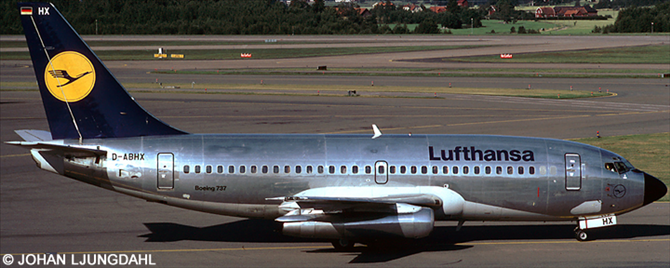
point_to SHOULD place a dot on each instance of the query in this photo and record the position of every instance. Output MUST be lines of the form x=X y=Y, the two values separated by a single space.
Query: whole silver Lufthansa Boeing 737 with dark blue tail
x=346 y=189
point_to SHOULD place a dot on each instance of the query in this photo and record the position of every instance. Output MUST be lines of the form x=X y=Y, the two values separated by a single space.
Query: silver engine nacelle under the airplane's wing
x=408 y=225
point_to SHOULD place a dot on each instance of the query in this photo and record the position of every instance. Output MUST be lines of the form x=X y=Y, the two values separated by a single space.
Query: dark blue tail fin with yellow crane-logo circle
x=82 y=99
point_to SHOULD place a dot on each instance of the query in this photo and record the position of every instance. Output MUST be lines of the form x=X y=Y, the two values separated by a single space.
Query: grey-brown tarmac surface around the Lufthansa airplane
x=42 y=212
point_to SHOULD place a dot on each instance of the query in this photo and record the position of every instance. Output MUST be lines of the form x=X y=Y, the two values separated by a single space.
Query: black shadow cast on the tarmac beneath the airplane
x=441 y=239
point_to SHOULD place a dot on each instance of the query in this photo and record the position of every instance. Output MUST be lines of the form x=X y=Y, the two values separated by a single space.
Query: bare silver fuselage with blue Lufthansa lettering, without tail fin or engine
x=507 y=178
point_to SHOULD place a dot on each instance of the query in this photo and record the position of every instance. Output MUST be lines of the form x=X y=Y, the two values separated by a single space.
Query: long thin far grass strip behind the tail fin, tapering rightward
x=227 y=54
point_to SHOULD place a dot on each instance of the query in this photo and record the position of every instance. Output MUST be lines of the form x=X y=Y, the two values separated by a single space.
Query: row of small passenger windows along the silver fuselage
x=520 y=170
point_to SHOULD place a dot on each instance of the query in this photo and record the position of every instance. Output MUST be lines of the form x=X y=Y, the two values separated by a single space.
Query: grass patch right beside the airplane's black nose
x=647 y=152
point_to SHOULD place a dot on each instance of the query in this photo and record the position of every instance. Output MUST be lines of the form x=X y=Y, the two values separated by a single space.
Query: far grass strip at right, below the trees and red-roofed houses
x=627 y=55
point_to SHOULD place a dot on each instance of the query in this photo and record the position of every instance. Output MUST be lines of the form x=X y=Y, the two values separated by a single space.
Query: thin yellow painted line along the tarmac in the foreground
x=329 y=246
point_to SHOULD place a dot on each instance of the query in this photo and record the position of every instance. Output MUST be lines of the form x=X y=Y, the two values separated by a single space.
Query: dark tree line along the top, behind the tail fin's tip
x=234 y=17
